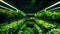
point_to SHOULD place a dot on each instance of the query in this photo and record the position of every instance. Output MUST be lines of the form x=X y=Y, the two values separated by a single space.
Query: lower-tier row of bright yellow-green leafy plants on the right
x=48 y=27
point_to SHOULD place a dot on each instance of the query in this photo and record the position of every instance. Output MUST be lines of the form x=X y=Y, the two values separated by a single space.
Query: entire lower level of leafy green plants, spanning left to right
x=40 y=27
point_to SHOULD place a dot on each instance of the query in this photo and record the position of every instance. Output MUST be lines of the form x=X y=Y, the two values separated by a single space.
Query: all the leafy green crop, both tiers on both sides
x=14 y=22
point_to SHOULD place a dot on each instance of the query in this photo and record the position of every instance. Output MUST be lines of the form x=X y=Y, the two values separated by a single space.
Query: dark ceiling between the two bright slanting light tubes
x=30 y=6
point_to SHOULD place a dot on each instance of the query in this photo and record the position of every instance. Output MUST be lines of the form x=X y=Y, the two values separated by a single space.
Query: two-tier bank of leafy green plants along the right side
x=50 y=22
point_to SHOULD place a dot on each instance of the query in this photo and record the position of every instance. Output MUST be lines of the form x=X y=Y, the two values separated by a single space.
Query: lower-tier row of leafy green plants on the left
x=12 y=28
